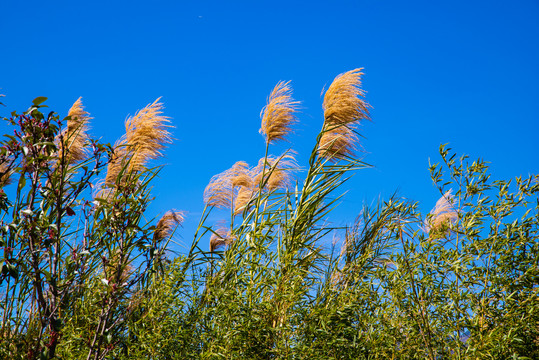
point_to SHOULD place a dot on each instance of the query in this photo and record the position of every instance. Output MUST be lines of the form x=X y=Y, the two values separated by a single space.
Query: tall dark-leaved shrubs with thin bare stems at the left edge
x=68 y=281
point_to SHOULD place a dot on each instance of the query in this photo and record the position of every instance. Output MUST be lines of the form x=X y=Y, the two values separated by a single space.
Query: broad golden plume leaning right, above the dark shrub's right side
x=145 y=138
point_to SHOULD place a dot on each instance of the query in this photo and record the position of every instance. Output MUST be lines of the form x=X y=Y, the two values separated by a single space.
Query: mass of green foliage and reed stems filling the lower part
x=87 y=279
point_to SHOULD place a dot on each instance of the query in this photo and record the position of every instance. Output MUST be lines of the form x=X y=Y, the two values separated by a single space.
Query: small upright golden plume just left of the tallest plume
x=278 y=114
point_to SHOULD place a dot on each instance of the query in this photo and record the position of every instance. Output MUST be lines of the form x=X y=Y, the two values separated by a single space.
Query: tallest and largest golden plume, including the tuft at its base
x=344 y=107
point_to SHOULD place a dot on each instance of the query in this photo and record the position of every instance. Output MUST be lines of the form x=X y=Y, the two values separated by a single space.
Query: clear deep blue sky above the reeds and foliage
x=460 y=72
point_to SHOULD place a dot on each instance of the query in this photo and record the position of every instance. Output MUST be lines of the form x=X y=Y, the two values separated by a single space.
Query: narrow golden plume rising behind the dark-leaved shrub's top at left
x=73 y=138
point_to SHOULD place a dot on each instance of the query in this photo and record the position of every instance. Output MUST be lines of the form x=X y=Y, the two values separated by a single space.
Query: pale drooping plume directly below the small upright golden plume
x=276 y=174
